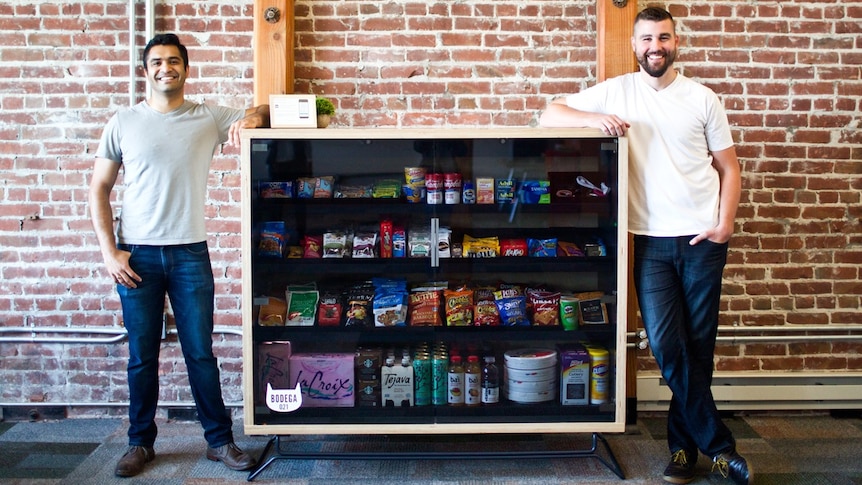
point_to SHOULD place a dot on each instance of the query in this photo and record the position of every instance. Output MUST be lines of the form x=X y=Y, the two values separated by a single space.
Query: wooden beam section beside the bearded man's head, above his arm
x=614 y=48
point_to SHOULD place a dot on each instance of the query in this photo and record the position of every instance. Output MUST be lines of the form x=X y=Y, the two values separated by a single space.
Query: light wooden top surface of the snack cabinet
x=421 y=133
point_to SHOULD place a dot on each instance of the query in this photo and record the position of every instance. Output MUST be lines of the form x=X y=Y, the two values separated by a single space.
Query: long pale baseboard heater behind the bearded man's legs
x=764 y=391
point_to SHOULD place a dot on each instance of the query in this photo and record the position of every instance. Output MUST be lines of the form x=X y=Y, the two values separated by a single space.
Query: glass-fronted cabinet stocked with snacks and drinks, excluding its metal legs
x=498 y=236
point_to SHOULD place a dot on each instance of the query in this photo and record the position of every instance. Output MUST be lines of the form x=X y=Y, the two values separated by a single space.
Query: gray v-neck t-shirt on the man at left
x=166 y=161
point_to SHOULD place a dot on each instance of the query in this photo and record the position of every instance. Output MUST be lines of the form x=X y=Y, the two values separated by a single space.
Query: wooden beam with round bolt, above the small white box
x=273 y=49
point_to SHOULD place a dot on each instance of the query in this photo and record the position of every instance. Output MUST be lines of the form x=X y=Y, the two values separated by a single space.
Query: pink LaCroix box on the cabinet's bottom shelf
x=326 y=380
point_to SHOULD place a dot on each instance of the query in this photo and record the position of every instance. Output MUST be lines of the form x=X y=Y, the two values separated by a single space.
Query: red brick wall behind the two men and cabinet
x=789 y=73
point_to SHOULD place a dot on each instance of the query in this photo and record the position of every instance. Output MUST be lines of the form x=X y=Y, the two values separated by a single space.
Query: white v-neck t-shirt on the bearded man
x=673 y=187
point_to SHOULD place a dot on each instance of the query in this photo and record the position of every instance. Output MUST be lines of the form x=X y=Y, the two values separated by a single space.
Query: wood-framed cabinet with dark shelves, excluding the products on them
x=555 y=156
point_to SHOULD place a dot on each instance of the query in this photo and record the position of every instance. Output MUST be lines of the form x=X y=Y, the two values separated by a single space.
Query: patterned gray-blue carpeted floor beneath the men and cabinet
x=784 y=449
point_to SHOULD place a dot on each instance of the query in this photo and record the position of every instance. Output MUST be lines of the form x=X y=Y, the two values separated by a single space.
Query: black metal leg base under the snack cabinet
x=274 y=444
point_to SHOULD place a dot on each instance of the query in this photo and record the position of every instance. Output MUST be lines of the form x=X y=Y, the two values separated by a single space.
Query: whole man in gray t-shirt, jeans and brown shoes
x=165 y=146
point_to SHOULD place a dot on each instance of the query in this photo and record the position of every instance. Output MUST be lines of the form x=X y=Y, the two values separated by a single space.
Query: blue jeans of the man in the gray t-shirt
x=184 y=273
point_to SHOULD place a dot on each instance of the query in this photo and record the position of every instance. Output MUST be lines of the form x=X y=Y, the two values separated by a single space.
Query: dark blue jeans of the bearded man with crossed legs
x=679 y=288
